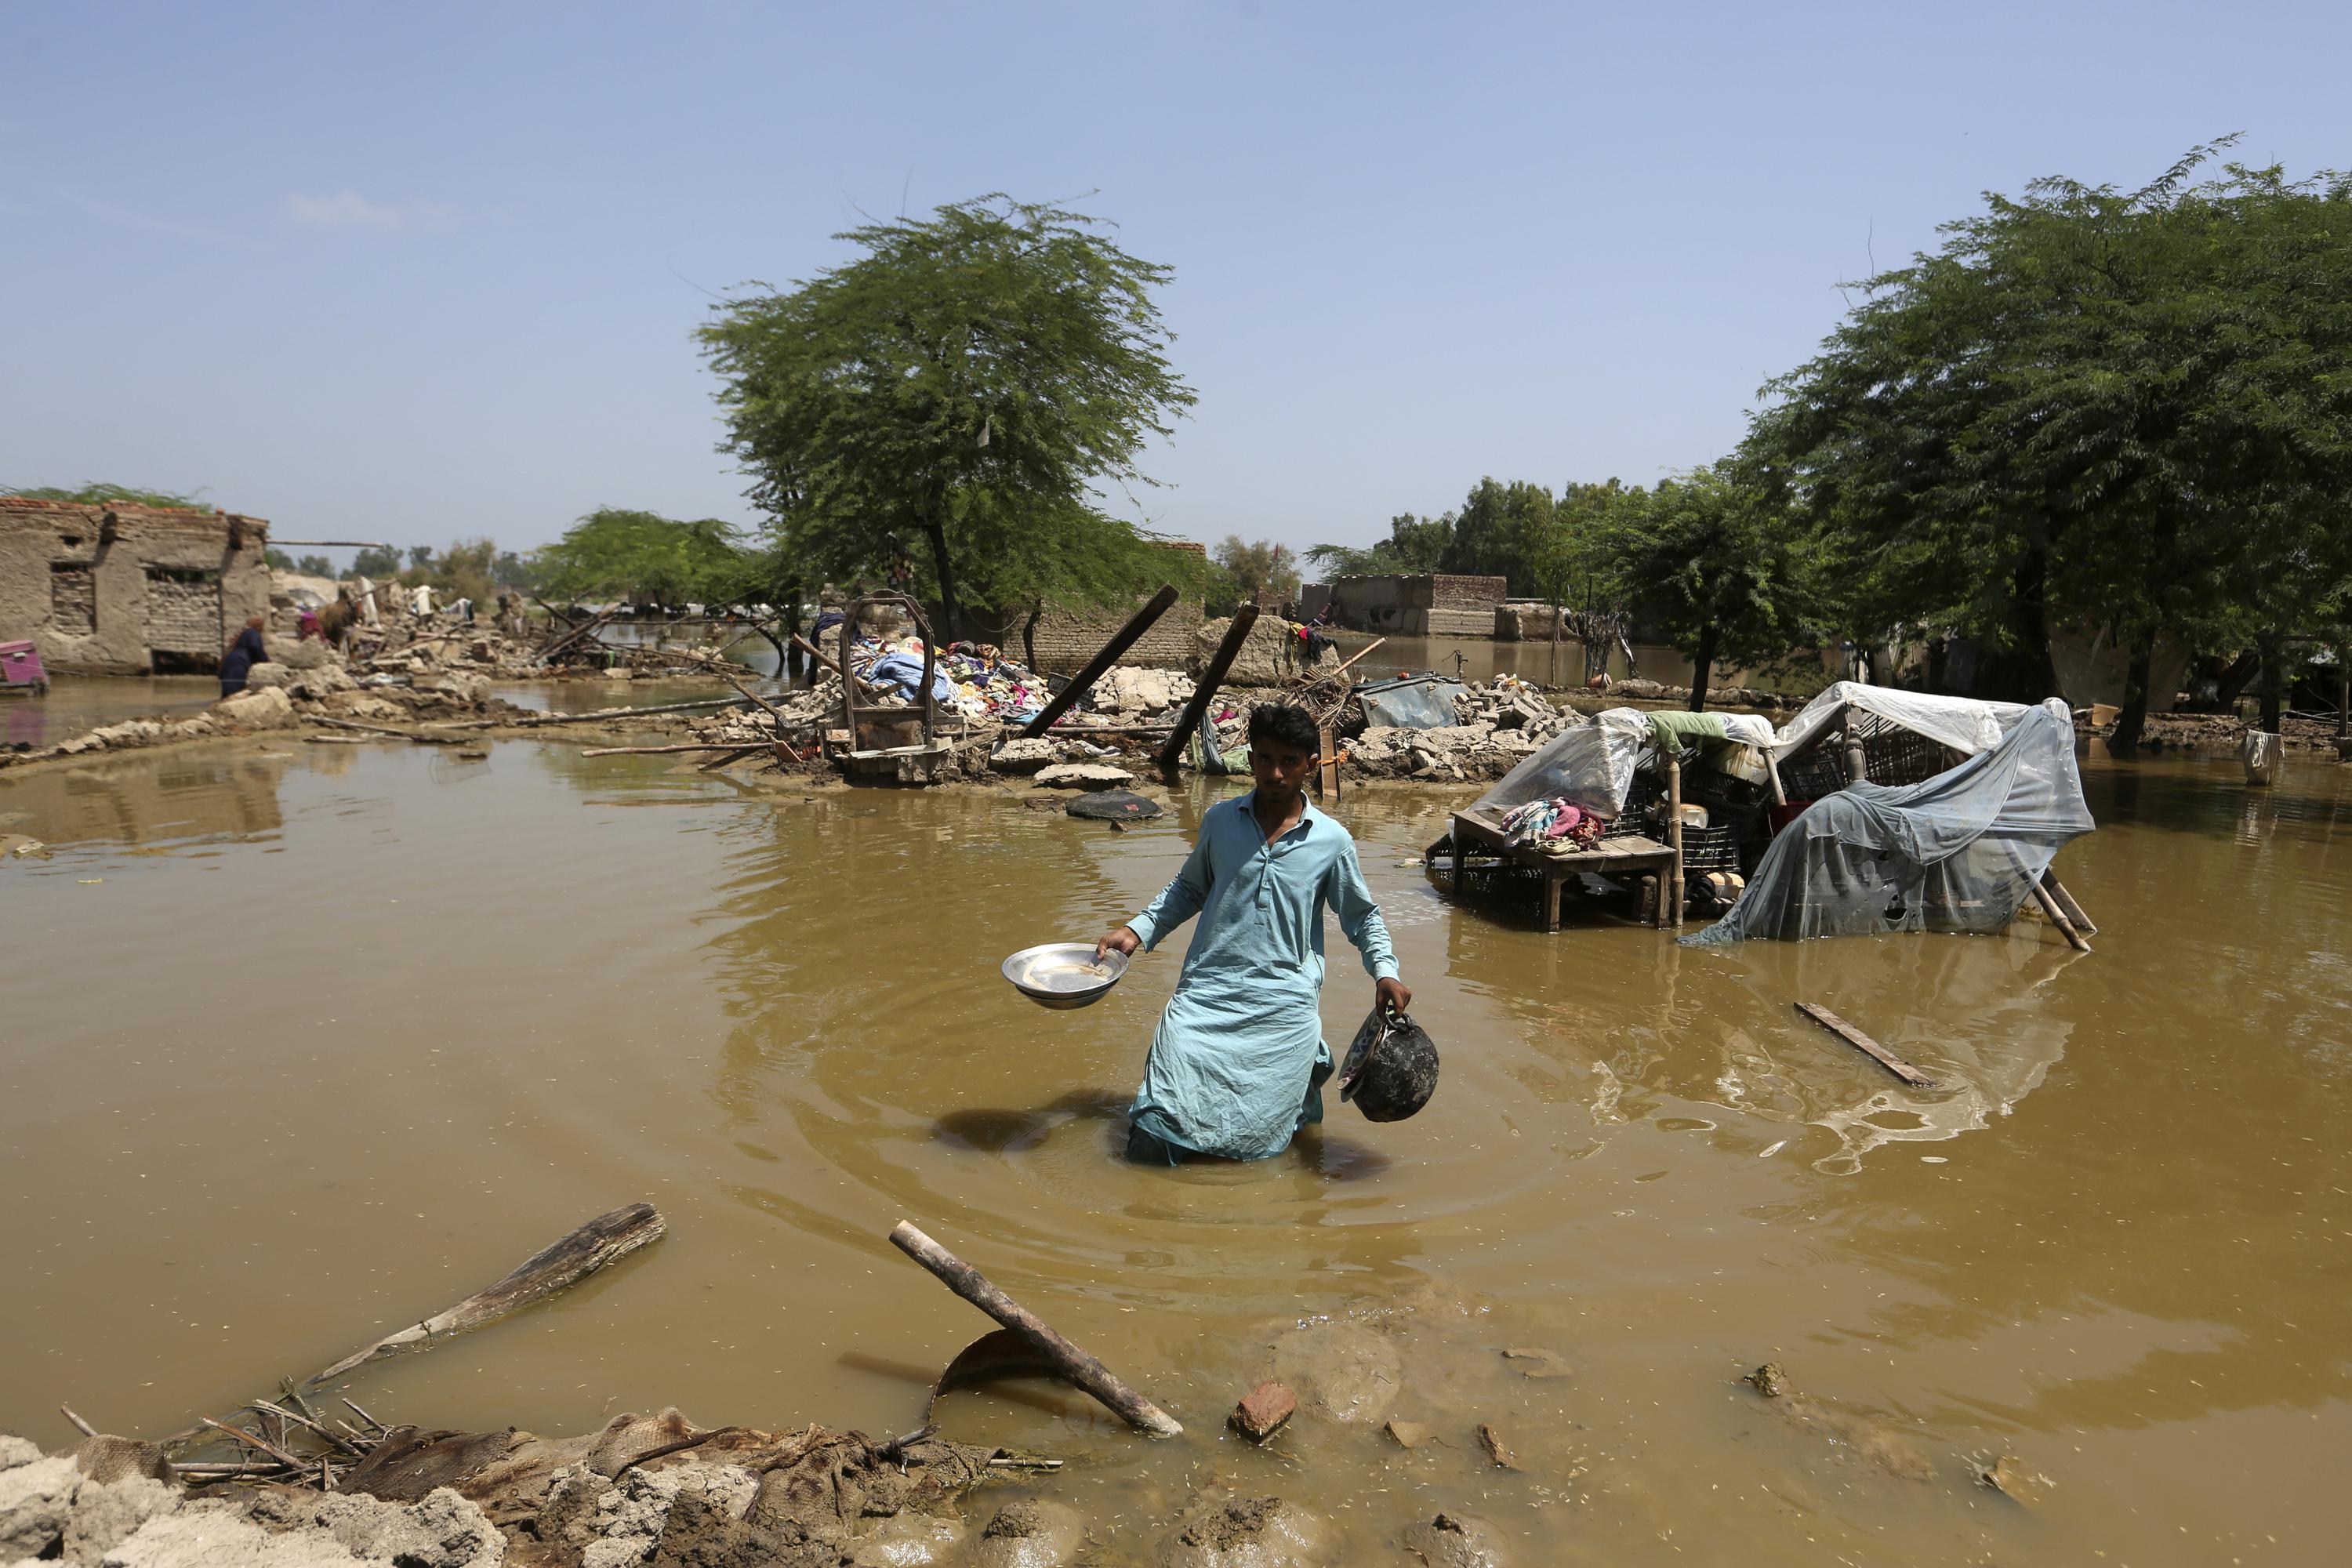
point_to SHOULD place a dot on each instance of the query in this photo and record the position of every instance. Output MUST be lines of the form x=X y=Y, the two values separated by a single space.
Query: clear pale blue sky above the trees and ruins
x=415 y=272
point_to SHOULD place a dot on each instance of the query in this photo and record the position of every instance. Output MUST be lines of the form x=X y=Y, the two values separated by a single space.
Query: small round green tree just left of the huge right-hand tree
x=1718 y=568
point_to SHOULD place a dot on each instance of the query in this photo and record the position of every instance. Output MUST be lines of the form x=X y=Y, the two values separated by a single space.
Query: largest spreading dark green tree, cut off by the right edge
x=2099 y=410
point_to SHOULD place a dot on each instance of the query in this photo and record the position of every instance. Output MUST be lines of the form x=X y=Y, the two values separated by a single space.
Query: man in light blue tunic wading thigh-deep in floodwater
x=1238 y=1061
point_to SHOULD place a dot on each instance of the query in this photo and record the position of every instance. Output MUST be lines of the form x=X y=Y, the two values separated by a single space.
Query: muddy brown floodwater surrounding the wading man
x=305 y=1043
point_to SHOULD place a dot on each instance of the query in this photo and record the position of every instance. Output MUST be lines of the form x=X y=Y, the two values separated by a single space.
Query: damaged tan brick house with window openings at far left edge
x=128 y=589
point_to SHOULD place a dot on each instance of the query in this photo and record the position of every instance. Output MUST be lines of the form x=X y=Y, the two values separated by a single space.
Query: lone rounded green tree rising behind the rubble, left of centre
x=970 y=382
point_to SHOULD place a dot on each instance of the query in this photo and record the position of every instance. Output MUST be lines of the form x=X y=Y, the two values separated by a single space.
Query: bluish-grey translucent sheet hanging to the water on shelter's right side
x=1960 y=852
